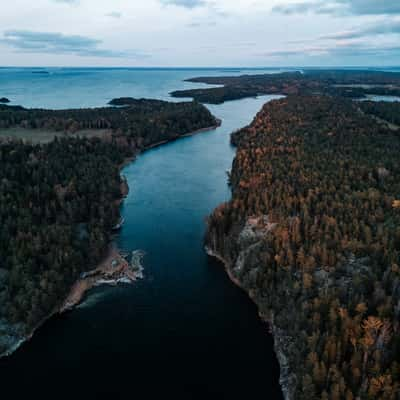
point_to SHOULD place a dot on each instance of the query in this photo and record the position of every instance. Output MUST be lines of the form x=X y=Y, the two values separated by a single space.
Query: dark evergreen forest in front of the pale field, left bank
x=57 y=206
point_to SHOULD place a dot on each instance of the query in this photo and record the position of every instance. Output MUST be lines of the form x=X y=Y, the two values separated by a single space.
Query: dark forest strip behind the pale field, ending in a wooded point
x=142 y=122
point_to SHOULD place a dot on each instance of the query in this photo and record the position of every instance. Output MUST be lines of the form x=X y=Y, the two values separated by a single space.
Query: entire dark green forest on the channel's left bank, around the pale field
x=59 y=201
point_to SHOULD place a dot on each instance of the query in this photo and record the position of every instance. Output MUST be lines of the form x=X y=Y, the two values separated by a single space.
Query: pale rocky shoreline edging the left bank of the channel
x=61 y=308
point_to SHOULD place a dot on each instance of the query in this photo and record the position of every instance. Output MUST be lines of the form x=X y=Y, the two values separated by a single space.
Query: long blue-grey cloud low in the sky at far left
x=57 y=43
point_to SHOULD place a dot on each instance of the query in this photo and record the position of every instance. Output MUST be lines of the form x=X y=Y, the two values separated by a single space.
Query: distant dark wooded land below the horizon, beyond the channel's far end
x=342 y=83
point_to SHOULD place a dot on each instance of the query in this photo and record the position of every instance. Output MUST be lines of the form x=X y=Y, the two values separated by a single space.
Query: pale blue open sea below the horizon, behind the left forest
x=59 y=88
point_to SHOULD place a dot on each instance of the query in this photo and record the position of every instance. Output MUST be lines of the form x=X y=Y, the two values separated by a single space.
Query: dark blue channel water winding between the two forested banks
x=185 y=331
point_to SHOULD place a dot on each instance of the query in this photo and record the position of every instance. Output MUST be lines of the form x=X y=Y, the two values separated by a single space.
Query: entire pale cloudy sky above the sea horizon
x=200 y=32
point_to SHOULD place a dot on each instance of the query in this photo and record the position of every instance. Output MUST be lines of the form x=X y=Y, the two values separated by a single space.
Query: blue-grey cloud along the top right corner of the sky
x=355 y=7
